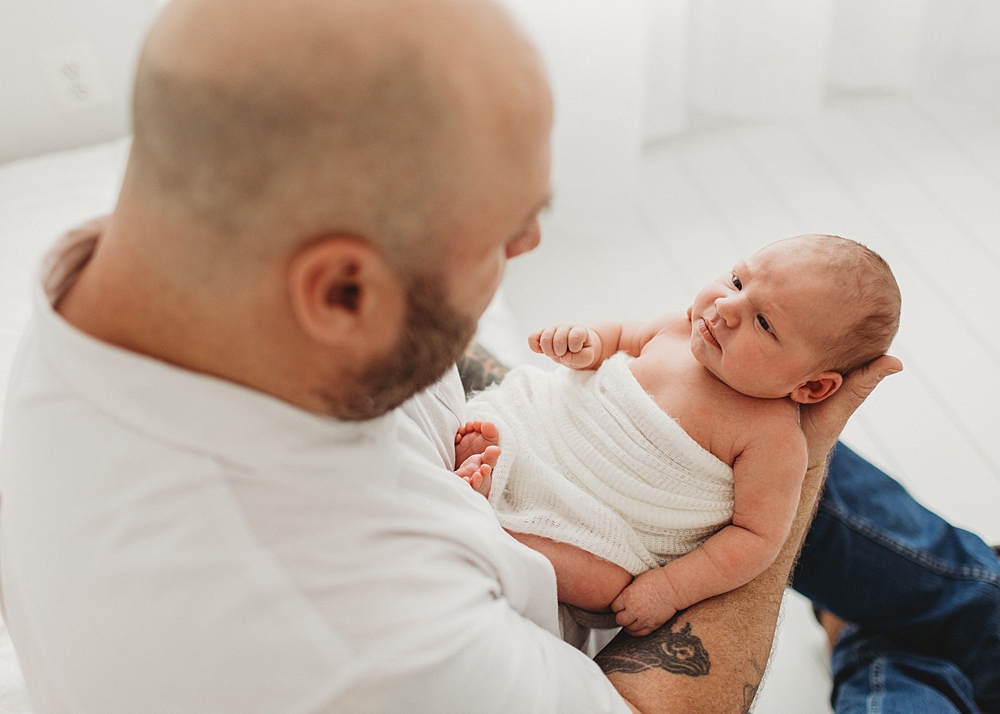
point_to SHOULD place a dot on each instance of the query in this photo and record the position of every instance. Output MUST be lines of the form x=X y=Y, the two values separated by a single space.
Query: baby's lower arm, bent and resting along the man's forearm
x=768 y=477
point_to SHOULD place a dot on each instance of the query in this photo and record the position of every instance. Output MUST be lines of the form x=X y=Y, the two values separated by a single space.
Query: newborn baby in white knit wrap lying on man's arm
x=678 y=463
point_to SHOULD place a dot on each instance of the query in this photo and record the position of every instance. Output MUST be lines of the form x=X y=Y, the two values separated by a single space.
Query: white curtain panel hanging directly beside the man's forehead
x=596 y=54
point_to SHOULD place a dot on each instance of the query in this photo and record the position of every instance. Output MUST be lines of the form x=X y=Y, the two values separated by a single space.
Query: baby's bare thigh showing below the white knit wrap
x=582 y=579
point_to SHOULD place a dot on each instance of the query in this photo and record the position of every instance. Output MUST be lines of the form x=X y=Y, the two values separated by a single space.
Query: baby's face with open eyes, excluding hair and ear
x=760 y=327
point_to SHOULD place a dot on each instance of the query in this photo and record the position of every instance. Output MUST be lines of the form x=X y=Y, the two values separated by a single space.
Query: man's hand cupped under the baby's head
x=823 y=422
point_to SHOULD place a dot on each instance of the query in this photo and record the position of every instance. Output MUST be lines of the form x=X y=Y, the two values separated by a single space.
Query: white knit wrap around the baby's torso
x=590 y=459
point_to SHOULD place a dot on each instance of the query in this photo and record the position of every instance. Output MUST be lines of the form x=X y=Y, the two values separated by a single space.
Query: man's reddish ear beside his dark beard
x=341 y=291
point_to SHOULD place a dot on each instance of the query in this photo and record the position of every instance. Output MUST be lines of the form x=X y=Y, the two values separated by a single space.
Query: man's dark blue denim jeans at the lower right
x=923 y=598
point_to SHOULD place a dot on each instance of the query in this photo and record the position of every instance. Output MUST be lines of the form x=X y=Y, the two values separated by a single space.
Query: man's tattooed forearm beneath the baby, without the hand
x=711 y=657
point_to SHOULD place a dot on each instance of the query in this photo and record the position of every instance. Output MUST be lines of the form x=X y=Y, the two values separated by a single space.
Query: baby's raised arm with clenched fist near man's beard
x=582 y=347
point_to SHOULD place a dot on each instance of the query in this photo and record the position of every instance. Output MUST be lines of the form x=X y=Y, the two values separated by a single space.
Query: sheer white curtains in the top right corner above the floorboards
x=715 y=61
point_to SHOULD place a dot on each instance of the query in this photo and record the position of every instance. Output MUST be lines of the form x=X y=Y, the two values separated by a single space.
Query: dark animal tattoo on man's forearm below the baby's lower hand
x=677 y=652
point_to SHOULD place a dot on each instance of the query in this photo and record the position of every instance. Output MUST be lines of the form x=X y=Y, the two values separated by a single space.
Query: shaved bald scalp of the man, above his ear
x=258 y=123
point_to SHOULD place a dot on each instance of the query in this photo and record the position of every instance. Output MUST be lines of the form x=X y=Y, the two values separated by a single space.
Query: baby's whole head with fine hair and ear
x=796 y=317
